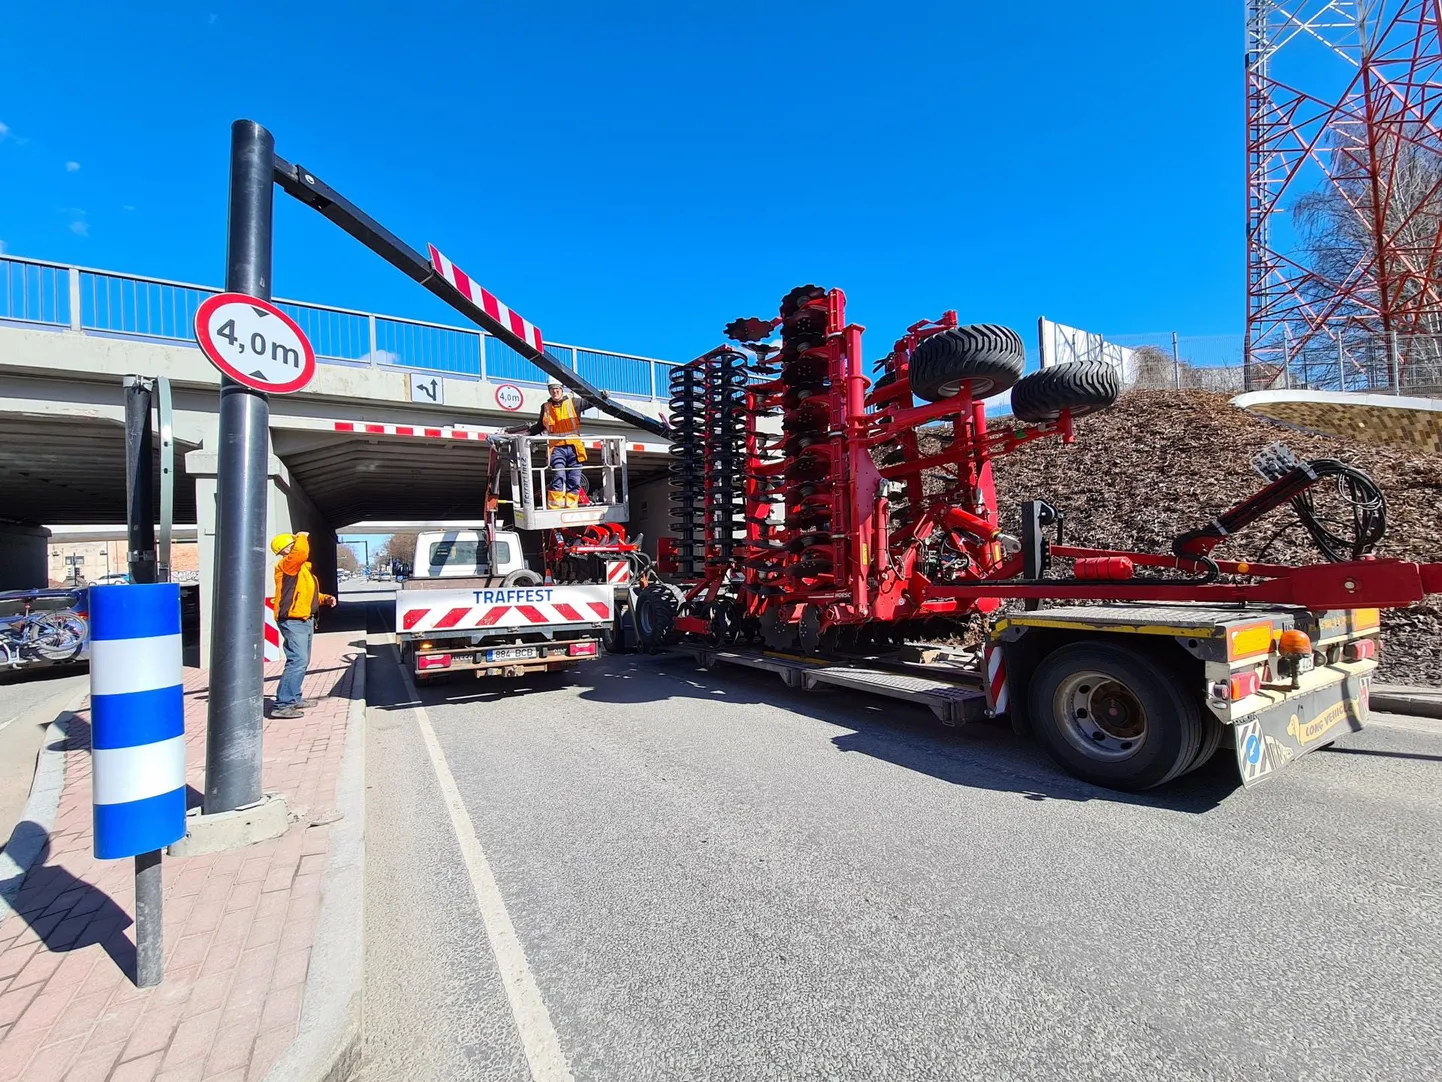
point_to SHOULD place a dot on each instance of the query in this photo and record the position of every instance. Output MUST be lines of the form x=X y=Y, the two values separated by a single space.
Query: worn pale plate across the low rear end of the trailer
x=1273 y=738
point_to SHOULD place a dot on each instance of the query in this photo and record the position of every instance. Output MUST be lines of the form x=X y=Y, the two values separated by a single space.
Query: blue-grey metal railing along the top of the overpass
x=100 y=302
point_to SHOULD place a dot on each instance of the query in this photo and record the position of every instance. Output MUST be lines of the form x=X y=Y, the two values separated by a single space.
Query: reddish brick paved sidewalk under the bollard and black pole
x=239 y=925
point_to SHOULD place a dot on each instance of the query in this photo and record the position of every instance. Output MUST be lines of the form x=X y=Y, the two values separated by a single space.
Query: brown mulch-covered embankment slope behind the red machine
x=1163 y=462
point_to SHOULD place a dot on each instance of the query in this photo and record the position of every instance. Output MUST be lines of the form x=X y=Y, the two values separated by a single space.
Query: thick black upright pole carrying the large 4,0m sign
x=233 y=744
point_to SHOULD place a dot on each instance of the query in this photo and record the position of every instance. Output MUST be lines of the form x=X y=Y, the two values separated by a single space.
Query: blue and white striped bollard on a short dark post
x=138 y=745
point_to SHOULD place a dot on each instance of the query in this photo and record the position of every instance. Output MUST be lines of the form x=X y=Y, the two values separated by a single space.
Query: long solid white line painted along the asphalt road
x=539 y=1037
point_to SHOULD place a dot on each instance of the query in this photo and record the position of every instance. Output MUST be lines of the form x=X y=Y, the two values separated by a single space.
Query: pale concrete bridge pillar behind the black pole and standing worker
x=288 y=511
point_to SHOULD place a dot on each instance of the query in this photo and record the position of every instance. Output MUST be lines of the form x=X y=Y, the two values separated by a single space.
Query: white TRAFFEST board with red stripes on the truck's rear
x=518 y=607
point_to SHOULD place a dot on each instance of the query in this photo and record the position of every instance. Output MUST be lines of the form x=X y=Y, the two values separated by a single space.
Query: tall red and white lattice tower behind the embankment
x=1345 y=188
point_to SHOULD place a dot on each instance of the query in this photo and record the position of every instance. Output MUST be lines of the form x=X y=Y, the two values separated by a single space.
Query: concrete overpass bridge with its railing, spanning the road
x=392 y=429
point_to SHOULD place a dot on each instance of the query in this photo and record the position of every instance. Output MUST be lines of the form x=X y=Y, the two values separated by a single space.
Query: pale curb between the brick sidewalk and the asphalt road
x=328 y=1047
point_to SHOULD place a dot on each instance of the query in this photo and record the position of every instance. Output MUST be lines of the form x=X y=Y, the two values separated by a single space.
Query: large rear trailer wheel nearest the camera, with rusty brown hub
x=1114 y=716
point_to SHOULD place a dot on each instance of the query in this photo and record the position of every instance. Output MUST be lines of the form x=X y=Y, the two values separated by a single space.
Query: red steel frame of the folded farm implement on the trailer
x=839 y=560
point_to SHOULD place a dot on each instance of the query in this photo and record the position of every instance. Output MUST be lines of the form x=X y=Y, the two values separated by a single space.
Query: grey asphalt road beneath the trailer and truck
x=715 y=878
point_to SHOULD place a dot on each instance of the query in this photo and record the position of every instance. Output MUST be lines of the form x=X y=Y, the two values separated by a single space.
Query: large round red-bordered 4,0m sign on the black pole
x=255 y=343
